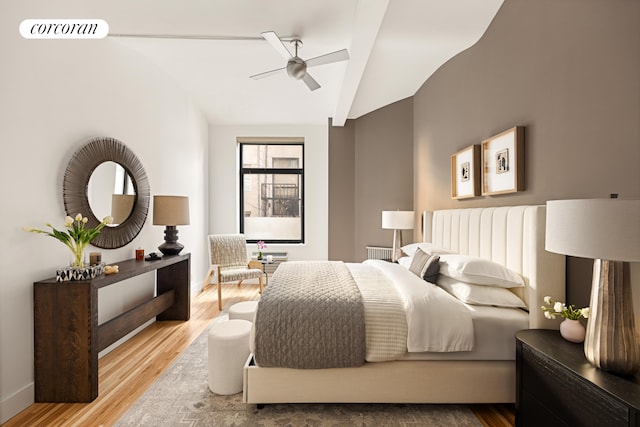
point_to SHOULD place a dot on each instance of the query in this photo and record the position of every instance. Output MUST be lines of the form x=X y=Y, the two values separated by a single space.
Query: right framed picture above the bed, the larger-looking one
x=503 y=162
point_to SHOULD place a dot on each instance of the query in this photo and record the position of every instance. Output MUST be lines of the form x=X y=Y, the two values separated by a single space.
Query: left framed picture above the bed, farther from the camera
x=465 y=173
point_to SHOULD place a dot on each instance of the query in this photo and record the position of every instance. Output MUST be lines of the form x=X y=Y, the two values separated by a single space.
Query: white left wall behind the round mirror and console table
x=55 y=95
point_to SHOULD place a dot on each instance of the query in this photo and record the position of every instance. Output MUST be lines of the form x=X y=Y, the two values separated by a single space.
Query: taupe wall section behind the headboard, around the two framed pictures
x=567 y=70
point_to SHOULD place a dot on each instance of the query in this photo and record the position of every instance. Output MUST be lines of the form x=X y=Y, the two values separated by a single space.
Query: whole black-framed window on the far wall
x=272 y=191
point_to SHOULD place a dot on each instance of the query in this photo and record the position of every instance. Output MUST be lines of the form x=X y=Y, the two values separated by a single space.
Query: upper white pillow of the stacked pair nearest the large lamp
x=478 y=271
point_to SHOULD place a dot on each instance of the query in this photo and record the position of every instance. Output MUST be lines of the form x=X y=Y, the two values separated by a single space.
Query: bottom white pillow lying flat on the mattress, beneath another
x=480 y=294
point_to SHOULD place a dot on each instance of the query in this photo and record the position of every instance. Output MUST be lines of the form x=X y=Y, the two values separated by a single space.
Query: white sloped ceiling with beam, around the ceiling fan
x=394 y=46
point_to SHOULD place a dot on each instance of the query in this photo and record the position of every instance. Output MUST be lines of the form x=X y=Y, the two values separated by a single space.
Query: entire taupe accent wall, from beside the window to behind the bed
x=567 y=70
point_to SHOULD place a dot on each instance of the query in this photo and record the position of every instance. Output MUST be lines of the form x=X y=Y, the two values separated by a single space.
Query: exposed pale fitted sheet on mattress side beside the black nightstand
x=494 y=331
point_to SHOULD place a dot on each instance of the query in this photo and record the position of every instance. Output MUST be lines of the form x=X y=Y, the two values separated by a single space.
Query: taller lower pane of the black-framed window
x=272 y=207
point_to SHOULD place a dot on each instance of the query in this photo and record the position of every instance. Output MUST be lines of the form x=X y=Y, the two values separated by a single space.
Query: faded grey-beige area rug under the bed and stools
x=181 y=397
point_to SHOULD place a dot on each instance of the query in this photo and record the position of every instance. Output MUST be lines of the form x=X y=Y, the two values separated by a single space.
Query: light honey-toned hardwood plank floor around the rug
x=127 y=372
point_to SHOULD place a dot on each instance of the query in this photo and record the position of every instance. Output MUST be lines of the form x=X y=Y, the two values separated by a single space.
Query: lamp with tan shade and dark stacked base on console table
x=170 y=211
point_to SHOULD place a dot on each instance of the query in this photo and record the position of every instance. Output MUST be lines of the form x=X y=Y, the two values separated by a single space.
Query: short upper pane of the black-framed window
x=272 y=156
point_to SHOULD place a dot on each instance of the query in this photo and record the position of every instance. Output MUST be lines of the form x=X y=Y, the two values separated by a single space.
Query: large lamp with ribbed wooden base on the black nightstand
x=607 y=230
